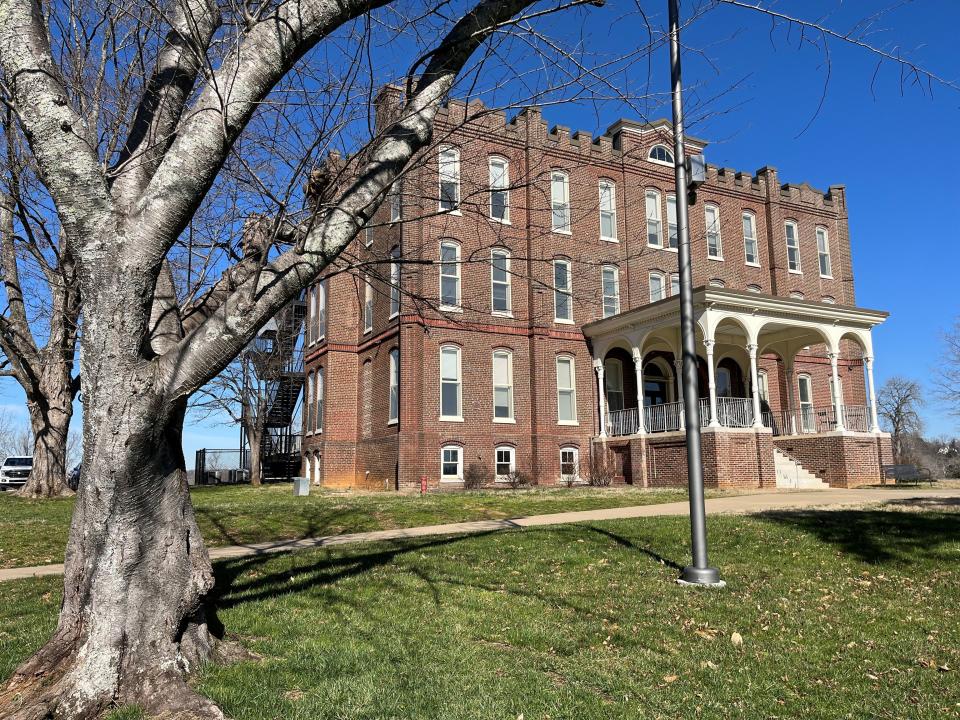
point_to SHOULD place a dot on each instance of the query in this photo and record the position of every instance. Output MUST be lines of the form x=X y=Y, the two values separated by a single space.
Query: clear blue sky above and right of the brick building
x=894 y=147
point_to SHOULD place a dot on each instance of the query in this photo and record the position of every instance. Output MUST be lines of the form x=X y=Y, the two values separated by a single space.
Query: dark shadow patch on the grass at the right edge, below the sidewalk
x=877 y=536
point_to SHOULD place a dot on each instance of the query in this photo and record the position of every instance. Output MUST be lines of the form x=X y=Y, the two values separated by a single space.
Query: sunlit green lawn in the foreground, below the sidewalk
x=843 y=614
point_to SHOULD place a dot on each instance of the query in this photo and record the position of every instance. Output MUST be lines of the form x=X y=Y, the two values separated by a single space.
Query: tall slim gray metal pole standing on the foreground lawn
x=699 y=572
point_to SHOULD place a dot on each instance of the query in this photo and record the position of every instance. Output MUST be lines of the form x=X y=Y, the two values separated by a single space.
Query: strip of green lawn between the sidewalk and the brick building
x=34 y=532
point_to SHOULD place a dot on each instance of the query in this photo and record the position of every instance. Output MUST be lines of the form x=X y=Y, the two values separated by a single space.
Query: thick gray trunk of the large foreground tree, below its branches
x=132 y=621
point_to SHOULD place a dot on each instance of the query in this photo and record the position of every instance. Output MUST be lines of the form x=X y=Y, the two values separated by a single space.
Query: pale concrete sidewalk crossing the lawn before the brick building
x=738 y=504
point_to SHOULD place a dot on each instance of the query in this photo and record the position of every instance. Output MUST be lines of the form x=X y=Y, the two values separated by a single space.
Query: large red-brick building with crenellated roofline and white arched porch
x=517 y=270
